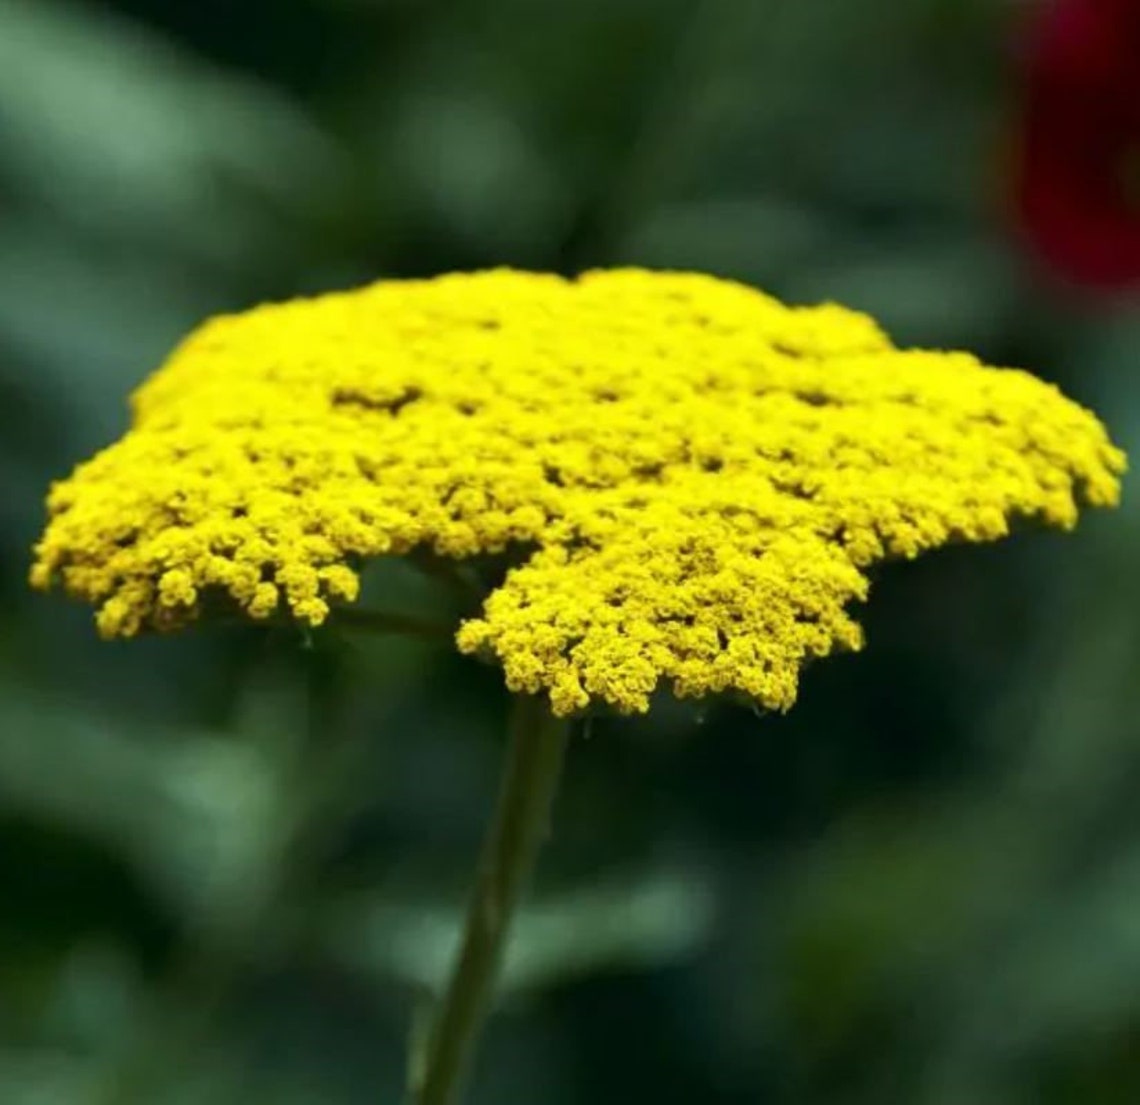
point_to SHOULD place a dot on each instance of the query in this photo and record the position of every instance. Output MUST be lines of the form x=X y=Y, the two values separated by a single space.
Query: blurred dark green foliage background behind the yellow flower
x=231 y=862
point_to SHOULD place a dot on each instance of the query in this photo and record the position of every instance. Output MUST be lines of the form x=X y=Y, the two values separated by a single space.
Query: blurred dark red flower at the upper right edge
x=1079 y=176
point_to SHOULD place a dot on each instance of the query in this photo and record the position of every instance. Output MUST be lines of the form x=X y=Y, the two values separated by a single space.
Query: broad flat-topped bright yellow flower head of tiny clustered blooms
x=695 y=475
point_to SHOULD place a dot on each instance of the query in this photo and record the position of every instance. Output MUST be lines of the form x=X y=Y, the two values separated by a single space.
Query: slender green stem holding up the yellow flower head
x=522 y=823
